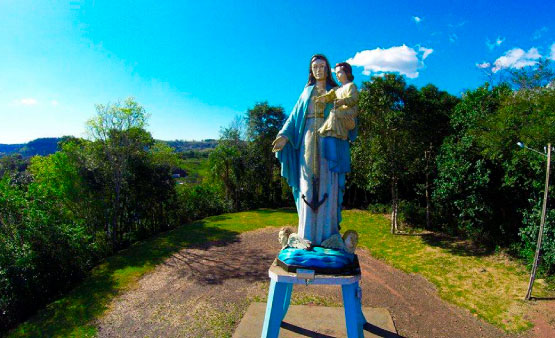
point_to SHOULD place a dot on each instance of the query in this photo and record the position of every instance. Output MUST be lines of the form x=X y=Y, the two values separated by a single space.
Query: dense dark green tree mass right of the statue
x=453 y=164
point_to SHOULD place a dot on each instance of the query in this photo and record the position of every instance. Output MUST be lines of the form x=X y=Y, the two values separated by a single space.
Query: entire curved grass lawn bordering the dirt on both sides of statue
x=487 y=284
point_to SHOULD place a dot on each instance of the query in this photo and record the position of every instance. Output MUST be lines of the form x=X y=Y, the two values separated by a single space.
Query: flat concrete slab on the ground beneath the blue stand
x=315 y=321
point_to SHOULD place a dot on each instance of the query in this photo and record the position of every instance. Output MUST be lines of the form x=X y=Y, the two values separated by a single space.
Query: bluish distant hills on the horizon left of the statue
x=47 y=146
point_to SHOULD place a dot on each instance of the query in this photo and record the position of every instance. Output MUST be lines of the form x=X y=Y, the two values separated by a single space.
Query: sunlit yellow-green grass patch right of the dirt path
x=490 y=285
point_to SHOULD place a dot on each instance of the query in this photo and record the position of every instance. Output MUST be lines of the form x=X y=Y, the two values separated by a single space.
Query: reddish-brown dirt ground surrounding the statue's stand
x=204 y=291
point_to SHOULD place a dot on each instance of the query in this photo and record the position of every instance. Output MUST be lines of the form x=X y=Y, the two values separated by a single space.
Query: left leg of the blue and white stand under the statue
x=274 y=309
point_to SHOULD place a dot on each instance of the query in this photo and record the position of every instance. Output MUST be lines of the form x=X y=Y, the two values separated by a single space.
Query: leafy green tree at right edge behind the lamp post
x=528 y=116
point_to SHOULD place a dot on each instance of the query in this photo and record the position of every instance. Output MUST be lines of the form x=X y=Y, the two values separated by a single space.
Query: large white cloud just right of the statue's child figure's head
x=401 y=59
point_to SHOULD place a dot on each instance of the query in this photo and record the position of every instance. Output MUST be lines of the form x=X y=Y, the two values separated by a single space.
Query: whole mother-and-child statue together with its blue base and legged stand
x=313 y=148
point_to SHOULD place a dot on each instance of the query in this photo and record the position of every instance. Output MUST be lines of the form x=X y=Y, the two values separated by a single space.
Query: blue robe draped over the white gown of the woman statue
x=335 y=150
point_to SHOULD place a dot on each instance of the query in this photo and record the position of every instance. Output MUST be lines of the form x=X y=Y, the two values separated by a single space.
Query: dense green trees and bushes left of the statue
x=63 y=213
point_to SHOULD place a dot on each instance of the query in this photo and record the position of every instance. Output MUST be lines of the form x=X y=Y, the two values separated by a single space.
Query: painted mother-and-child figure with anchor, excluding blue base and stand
x=313 y=148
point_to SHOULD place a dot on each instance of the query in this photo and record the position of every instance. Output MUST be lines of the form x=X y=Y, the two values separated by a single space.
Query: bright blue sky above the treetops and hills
x=195 y=65
